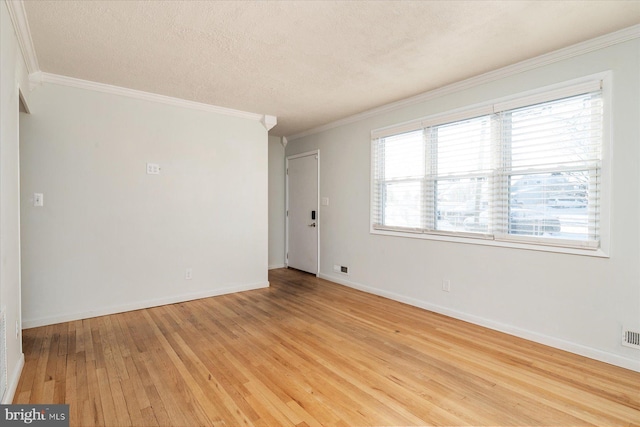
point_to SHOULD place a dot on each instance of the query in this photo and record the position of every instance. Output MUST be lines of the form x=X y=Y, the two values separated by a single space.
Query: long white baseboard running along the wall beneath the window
x=571 y=347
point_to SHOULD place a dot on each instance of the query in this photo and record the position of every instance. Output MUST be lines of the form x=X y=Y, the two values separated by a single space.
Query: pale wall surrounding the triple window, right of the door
x=578 y=303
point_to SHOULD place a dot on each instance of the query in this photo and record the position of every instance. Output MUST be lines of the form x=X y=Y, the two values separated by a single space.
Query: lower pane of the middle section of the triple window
x=462 y=205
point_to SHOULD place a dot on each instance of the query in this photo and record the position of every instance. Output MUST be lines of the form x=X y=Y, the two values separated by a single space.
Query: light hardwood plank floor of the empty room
x=310 y=352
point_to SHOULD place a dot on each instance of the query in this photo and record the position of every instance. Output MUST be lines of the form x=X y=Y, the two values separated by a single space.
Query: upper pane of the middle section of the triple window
x=464 y=146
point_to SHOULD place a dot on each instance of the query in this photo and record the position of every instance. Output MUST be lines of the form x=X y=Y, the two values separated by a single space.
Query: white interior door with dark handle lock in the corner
x=302 y=212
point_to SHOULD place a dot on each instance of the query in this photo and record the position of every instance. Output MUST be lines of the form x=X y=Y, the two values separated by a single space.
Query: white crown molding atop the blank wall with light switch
x=39 y=77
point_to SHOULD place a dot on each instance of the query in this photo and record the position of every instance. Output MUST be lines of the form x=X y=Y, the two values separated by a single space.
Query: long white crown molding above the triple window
x=582 y=48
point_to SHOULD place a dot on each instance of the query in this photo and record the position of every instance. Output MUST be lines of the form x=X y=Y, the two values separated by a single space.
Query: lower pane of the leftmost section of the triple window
x=402 y=204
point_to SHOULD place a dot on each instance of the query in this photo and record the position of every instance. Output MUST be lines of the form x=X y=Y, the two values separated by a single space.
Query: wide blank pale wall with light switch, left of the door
x=111 y=237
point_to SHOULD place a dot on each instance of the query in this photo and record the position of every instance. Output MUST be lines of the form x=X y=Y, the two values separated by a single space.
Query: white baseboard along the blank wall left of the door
x=68 y=317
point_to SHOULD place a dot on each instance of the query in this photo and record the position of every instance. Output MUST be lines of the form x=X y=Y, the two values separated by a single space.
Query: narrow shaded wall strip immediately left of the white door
x=276 y=202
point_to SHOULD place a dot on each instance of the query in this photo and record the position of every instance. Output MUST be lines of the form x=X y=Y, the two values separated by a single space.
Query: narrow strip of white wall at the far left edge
x=13 y=78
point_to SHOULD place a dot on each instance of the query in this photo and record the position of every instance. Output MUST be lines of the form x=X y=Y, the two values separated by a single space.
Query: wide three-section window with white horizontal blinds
x=524 y=171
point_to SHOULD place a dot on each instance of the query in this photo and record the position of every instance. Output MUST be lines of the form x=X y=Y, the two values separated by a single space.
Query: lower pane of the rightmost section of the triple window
x=555 y=205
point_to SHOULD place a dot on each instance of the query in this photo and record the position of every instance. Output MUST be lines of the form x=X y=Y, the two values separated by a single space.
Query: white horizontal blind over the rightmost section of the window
x=552 y=164
